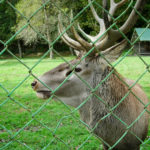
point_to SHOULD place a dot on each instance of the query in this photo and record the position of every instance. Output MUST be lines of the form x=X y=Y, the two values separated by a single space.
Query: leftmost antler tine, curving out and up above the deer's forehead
x=69 y=41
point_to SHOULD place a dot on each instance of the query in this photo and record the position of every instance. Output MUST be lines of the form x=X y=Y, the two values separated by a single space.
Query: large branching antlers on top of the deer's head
x=103 y=39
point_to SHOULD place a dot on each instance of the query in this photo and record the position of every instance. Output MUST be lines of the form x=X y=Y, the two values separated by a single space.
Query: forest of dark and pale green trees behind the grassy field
x=28 y=42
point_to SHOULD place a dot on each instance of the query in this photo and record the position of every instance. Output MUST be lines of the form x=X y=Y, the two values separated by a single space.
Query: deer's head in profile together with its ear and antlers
x=73 y=91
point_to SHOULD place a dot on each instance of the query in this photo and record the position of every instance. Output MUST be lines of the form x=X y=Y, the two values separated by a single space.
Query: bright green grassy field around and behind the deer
x=58 y=132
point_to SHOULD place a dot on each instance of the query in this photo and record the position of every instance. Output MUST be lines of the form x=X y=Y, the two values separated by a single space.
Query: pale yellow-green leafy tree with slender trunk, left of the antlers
x=44 y=22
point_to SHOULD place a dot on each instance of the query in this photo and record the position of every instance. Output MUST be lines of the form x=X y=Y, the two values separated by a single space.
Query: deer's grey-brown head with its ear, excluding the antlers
x=74 y=91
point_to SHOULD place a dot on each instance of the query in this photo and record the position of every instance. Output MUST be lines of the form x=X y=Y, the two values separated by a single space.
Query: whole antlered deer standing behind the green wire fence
x=106 y=103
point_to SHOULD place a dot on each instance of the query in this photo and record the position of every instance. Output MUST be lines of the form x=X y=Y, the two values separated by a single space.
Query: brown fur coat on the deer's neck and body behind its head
x=112 y=91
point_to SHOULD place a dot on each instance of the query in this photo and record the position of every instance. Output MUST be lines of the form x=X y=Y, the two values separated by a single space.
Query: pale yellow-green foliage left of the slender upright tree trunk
x=27 y=8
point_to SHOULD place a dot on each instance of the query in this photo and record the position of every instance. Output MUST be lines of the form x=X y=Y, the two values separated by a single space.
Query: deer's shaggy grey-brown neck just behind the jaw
x=110 y=92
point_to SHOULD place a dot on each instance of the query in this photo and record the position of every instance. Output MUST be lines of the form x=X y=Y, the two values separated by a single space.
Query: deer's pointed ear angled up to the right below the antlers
x=114 y=52
